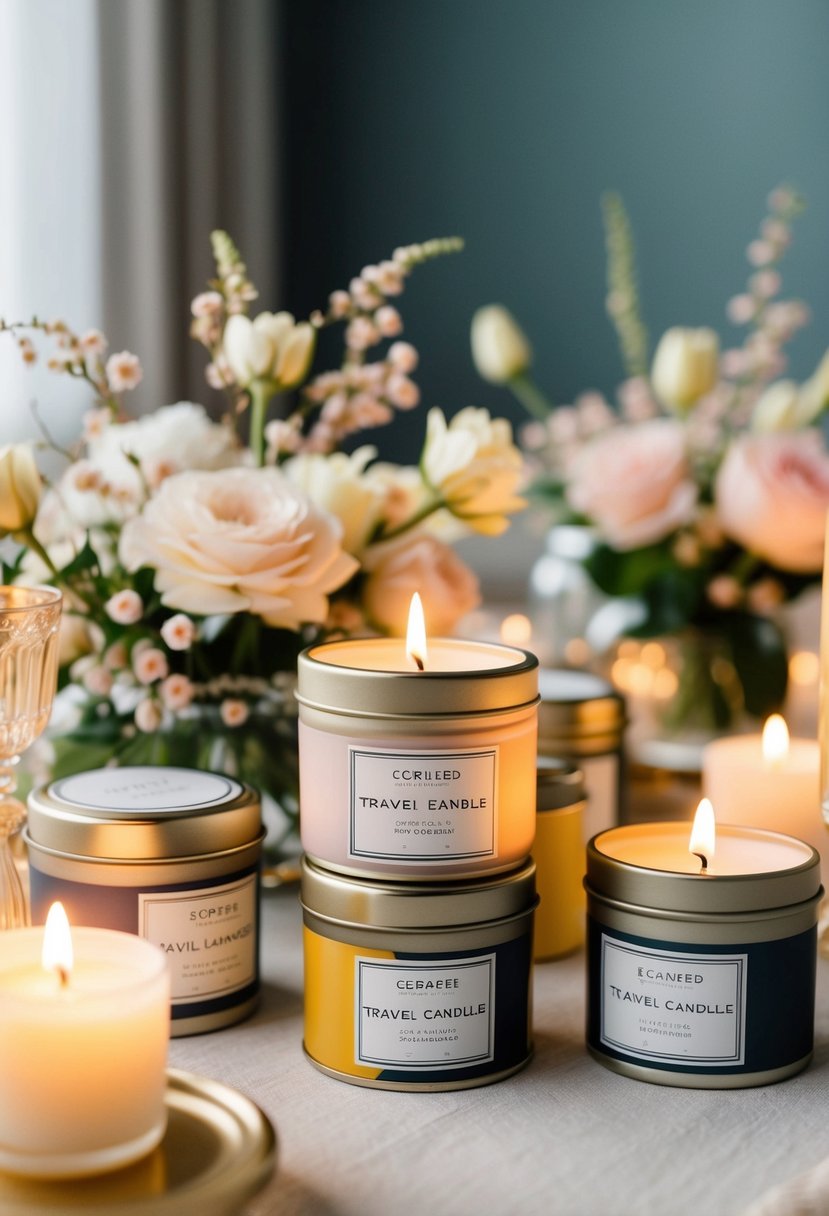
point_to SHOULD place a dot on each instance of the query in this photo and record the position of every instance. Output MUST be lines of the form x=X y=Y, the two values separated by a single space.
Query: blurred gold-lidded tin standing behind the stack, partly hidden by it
x=582 y=720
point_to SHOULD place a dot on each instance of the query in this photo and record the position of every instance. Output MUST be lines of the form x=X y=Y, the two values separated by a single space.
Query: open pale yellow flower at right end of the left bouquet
x=475 y=468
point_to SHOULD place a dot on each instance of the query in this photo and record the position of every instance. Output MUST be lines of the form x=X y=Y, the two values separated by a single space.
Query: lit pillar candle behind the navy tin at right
x=772 y=785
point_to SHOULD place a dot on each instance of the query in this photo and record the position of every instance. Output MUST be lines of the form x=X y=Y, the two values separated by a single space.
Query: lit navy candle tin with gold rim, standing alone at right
x=703 y=981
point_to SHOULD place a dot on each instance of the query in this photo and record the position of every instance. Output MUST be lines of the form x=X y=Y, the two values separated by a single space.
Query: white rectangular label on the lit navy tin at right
x=674 y=1006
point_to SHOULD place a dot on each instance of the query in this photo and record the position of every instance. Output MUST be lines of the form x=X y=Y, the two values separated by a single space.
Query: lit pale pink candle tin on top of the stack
x=416 y=775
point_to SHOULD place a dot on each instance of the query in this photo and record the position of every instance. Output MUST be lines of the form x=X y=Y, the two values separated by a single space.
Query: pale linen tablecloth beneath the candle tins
x=566 y=1136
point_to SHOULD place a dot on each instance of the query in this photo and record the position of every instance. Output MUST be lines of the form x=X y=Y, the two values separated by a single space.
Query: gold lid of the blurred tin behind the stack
x=579 y=713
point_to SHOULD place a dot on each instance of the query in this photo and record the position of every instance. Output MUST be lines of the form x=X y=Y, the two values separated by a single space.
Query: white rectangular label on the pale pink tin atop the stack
x=422 y=806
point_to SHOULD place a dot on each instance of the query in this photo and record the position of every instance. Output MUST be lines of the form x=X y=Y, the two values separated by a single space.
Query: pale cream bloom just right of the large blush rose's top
x=339 y=485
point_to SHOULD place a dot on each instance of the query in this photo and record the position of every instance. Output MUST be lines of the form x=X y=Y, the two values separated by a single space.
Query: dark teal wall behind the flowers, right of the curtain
x=505 y=121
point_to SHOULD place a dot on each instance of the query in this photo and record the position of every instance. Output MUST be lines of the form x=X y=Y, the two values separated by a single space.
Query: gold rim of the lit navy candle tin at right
x=636 y=886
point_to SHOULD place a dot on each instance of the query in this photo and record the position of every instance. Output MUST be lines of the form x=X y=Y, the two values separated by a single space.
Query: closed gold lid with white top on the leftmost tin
x=143 y=814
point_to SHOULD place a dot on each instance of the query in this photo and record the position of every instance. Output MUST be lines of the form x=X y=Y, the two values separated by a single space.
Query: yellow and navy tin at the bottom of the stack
x=419 y=987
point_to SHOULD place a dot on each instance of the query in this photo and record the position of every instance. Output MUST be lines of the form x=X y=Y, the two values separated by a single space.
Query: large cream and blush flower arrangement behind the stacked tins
x=196 y=566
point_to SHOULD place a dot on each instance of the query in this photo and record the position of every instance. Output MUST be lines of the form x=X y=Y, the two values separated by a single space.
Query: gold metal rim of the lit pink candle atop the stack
x=506 y=679
